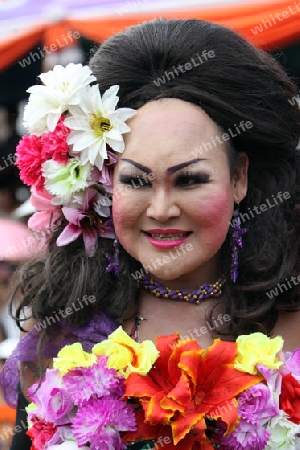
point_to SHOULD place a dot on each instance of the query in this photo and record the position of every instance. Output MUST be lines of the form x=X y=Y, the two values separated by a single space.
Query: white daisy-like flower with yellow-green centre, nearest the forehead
x=95 y=123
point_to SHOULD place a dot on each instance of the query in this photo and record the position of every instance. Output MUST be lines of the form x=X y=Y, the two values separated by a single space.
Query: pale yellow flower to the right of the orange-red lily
x=257 y=348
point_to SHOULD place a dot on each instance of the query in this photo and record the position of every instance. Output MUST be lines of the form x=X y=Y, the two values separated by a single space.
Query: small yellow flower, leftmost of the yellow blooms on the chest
x=72 y=356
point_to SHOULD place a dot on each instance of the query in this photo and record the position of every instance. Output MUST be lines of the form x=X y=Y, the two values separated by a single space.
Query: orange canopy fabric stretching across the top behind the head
x=267 y=24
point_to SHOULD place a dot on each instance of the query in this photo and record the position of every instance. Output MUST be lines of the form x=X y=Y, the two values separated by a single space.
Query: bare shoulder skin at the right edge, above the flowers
x=288 y=326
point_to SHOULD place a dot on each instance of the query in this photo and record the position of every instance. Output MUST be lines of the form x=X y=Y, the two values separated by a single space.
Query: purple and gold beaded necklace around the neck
x=204 y=291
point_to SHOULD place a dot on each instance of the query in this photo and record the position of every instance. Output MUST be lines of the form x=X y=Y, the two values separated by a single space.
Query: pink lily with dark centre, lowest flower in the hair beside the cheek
x=86 y=222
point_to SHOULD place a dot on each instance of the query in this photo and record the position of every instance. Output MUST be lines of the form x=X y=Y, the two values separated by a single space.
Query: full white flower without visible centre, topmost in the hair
x=61 y=89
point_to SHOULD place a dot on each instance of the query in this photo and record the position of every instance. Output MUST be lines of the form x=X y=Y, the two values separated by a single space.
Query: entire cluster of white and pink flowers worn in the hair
x=68 y=156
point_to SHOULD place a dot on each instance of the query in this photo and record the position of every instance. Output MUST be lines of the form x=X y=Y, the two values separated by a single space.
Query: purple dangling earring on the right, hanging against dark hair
x=236 y=231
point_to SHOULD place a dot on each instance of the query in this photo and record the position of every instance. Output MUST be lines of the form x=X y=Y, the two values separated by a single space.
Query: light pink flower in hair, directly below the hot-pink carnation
x=47 y=212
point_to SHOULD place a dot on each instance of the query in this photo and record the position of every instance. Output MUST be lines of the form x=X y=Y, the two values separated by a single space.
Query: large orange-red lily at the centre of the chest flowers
x=186 y=386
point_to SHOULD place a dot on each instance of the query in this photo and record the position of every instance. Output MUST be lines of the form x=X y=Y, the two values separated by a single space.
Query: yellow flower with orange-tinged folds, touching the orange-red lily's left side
x=125 y=355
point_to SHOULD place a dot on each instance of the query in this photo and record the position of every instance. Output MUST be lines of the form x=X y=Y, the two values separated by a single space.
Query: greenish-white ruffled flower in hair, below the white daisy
x=64 y=180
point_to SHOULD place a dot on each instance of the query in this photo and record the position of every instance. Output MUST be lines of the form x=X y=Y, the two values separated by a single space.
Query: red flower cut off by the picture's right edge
x=289 y=399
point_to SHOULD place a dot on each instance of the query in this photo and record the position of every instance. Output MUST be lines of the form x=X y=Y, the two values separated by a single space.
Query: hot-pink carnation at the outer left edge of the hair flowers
x=30 y=157
